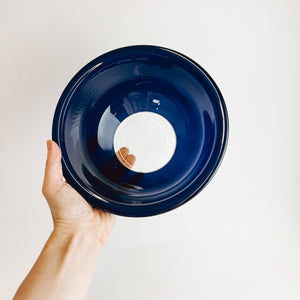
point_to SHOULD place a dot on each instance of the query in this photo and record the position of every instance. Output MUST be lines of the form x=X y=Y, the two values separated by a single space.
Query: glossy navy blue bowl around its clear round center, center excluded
x=123 y=82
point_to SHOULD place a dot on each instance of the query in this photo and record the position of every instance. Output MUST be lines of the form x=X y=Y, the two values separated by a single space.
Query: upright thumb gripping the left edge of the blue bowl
x=53 y=179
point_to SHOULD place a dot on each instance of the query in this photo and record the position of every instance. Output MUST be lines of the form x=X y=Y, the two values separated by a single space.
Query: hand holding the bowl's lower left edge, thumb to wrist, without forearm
x=70 y=212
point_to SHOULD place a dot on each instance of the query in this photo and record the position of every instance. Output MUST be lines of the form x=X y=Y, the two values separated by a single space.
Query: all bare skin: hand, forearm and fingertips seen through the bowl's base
x=66 y=264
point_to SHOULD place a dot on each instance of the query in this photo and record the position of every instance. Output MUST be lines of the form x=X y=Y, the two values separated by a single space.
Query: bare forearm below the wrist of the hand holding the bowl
x=64 y=268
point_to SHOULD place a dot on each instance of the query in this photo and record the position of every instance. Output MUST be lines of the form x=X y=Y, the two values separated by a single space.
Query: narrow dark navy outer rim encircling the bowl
x=126 y=209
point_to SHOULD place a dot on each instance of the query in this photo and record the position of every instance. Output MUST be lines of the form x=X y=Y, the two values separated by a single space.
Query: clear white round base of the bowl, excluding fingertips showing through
x=149 y=137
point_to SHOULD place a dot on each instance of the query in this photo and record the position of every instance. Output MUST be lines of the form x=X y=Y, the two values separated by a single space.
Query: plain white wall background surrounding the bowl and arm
x=240 y=237
